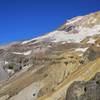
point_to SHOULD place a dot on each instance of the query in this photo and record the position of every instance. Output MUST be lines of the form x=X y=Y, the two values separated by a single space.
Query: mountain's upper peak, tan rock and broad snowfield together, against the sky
x=74 y=30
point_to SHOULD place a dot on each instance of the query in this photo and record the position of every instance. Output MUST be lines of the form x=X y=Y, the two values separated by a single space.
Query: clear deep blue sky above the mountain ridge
x=25 y=19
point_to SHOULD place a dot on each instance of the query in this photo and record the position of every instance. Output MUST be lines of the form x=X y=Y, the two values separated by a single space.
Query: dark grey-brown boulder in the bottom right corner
x=85 y=90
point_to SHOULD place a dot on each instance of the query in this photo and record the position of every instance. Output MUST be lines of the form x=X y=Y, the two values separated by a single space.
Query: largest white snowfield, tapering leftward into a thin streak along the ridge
x=62 y=36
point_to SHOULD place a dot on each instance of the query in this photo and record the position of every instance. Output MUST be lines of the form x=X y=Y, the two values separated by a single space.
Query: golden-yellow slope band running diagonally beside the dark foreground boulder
x=84 y=73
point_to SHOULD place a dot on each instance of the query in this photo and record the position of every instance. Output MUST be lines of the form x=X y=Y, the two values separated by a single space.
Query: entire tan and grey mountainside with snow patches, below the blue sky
x=57 y=66
